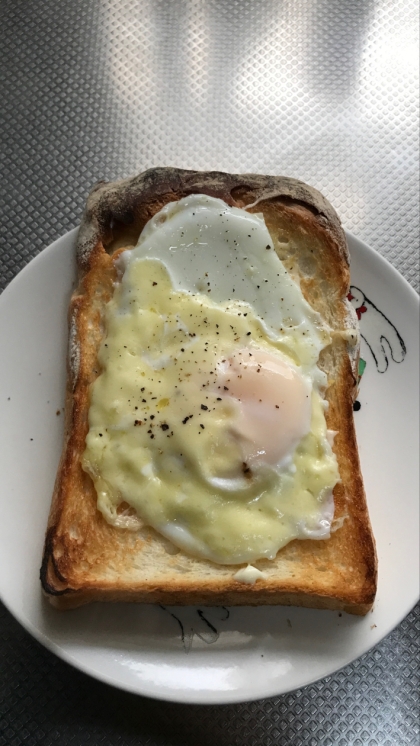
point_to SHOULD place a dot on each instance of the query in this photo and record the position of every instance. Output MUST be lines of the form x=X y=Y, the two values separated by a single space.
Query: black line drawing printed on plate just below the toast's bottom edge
x=193 y=621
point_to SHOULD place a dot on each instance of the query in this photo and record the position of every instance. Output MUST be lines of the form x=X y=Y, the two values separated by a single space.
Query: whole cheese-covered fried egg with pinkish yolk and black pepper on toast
x=208 y=418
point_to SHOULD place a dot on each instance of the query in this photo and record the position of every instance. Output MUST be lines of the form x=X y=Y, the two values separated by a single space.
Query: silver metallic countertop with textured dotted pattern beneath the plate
x=326 y=91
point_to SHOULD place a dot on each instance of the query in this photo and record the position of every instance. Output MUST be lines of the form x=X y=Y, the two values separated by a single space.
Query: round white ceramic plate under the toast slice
x=208 y=655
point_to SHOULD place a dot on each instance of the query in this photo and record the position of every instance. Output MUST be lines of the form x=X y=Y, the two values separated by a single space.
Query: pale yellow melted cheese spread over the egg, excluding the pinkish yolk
x=162 y=434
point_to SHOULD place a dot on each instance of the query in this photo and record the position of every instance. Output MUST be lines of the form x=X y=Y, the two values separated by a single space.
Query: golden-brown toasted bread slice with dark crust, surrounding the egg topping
x=87 y=559
